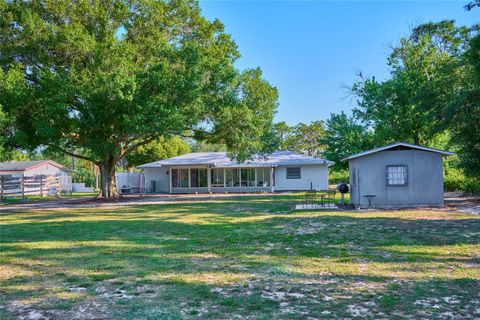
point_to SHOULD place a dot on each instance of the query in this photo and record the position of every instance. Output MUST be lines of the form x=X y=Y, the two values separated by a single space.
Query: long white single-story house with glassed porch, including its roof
x=216 y=172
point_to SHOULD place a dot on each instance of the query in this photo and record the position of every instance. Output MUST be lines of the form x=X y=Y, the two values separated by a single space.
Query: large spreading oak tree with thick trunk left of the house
x=97 y=79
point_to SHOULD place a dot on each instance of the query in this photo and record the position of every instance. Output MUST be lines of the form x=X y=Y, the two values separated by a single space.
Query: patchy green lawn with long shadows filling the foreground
x=243 y=257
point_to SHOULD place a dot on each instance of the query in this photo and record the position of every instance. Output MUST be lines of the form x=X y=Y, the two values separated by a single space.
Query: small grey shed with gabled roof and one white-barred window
x=397 y=175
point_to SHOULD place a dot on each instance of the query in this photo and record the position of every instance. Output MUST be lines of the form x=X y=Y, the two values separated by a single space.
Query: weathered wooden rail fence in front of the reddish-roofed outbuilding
x=24 y=186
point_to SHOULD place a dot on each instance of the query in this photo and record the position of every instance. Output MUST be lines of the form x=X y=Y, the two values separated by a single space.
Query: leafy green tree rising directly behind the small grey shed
x=426 y=75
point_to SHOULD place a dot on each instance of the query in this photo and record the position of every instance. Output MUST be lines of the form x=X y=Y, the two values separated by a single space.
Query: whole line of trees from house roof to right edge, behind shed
x=431 y=98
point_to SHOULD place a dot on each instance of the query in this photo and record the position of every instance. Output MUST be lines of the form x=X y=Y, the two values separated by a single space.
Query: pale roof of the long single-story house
x=220 y=159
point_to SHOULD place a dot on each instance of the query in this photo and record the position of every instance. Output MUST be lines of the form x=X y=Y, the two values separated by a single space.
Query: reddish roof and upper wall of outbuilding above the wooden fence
x=32 y=168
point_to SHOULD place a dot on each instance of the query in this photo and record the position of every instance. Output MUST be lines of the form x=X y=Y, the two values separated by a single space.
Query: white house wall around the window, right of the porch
x=316 y=175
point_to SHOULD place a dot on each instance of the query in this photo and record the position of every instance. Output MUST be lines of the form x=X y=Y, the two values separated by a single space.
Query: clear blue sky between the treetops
x=312 y=50
